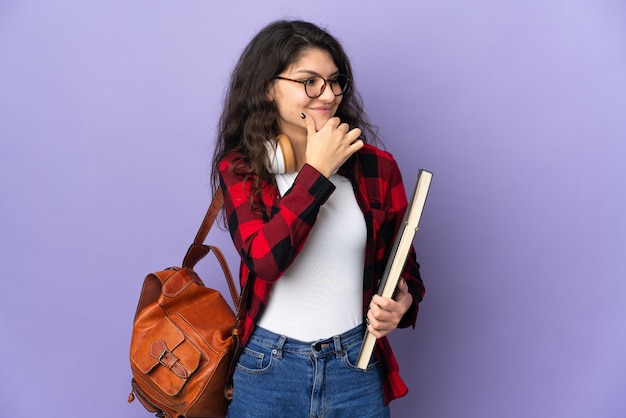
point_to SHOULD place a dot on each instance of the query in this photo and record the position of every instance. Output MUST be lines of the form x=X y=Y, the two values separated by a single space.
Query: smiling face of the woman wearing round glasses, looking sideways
x=291 y=99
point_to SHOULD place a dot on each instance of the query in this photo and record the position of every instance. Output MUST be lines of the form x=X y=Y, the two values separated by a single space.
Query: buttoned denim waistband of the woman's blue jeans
x=280 y=343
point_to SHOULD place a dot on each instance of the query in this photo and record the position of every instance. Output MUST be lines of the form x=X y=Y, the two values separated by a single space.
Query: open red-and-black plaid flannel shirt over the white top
x=268 y=243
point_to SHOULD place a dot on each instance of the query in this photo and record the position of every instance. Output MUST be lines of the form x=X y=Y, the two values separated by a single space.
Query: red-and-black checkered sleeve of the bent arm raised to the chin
x=269 y=241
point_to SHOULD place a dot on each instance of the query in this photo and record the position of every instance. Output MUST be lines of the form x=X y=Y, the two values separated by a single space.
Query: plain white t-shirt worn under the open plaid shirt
x=321 y=294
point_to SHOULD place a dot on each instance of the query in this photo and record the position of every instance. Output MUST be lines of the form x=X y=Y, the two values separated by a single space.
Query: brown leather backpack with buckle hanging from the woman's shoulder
x=185 y=336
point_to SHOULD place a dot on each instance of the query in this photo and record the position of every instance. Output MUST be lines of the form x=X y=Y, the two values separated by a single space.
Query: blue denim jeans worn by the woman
x=281 y=377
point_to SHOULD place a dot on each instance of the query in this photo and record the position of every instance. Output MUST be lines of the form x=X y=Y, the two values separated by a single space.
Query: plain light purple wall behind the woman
x=107 y=118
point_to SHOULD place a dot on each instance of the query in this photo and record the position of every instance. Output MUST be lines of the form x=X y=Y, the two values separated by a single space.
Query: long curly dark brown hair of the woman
x=249 y=118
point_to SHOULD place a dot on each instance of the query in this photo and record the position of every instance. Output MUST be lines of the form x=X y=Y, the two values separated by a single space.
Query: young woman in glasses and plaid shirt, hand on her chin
x=315 y=238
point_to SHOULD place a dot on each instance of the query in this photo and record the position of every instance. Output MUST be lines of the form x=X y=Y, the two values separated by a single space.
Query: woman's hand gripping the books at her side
x=384 y=314
